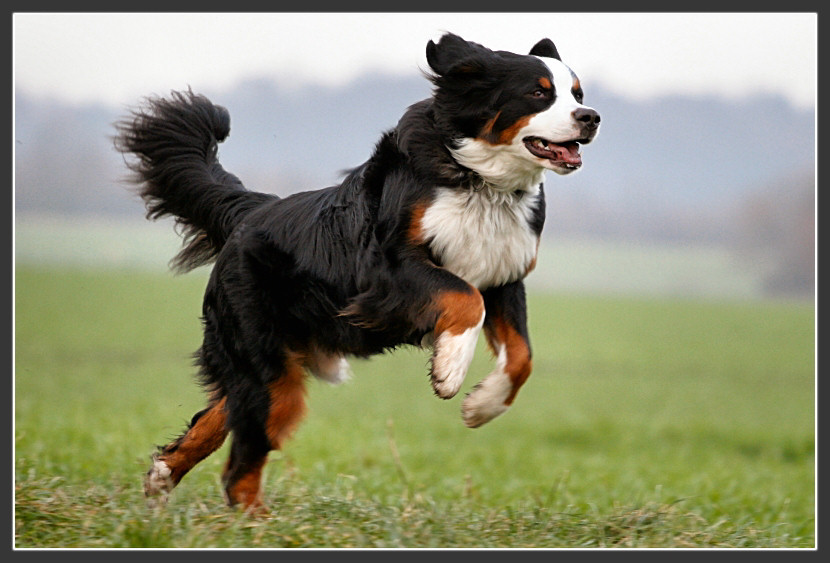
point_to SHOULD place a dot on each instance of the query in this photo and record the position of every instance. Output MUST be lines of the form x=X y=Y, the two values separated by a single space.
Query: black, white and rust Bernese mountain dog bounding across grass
x=425 y=244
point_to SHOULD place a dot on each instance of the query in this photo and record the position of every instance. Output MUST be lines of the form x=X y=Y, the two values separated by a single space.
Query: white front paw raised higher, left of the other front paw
x=451 y=358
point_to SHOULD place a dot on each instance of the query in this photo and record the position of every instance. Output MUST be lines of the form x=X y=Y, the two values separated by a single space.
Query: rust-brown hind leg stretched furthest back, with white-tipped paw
x=206 y=433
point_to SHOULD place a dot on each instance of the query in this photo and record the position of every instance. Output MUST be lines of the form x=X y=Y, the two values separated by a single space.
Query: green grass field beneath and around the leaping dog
x=646 y=423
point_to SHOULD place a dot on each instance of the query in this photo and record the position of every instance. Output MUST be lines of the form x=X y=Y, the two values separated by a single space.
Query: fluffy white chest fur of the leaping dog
x=484 y=237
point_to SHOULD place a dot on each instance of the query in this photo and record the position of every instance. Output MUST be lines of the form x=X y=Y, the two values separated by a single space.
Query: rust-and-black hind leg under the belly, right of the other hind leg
x=254 y=435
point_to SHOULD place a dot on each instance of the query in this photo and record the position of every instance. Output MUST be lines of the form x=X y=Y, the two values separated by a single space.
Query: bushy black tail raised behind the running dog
x=175 y=141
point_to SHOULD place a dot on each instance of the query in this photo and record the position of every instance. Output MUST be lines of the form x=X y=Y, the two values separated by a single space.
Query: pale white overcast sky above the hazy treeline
x=117 y=58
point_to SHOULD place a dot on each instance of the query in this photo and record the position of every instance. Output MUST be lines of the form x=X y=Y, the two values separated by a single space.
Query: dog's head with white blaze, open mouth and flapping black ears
x=509 y=116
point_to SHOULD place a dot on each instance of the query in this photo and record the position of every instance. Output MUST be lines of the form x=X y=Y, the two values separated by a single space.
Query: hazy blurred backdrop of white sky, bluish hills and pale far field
x=701 y=182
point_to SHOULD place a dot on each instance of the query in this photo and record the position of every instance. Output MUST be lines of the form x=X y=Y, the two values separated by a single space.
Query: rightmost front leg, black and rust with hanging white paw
x=505 y=327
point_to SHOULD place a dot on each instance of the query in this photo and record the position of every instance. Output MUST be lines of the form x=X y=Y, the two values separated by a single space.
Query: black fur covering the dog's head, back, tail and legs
x=333 y=271
